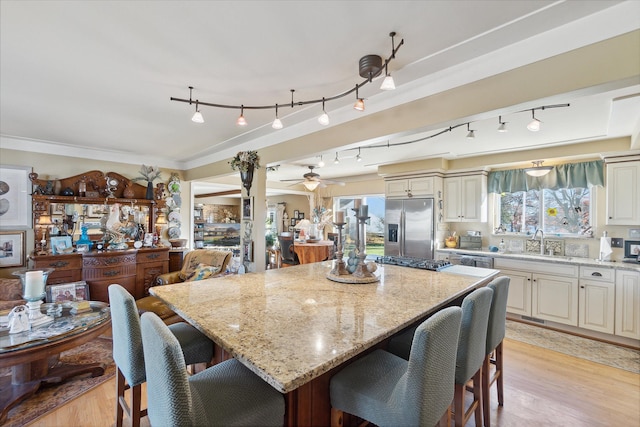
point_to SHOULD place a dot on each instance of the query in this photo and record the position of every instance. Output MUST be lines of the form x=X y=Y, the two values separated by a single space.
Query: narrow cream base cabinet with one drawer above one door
x=596 y=300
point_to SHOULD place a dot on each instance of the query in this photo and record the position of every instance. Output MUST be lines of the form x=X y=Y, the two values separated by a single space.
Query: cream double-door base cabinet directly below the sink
x=550 y=296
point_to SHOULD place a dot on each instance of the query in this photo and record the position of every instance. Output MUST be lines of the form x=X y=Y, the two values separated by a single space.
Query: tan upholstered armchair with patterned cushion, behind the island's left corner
x=198 y=264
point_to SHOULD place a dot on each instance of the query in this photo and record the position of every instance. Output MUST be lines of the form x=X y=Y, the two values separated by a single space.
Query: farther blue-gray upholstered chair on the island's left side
x=128 y=354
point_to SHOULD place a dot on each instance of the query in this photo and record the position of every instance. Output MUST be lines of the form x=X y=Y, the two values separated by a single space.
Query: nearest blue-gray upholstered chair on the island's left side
x=226 y=394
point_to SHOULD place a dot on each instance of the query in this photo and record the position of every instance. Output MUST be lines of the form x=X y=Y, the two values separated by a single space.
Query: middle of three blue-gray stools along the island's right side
x=471 y=352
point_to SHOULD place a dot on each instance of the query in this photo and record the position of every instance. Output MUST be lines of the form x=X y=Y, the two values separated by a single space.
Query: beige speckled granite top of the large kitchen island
x=291 y=325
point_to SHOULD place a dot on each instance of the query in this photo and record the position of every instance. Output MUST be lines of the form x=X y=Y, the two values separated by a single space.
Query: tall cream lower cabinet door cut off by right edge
x=627 y=304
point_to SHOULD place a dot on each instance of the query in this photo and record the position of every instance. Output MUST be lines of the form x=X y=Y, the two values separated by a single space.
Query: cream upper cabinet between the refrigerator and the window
x=465 y=198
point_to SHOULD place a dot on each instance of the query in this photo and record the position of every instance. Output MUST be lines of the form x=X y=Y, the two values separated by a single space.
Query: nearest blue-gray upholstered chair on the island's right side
x=387 y=390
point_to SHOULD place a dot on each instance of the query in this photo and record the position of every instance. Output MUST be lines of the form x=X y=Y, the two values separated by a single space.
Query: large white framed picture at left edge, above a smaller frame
x=15 y=188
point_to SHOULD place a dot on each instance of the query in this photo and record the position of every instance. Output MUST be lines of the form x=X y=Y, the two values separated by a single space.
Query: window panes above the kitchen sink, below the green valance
x=566 y=211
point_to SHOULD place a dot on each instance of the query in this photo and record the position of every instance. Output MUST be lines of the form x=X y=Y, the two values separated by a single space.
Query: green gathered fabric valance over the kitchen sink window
x=570 y=175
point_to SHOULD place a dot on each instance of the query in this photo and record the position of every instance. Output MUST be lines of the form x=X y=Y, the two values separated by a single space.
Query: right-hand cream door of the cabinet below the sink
x=555 y=298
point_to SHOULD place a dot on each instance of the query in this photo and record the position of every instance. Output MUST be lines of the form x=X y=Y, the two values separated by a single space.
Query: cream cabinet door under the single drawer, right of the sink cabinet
x=596 y=302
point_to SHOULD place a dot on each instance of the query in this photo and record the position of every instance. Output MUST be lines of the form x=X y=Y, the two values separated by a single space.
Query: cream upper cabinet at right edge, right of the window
x=623 y=193
